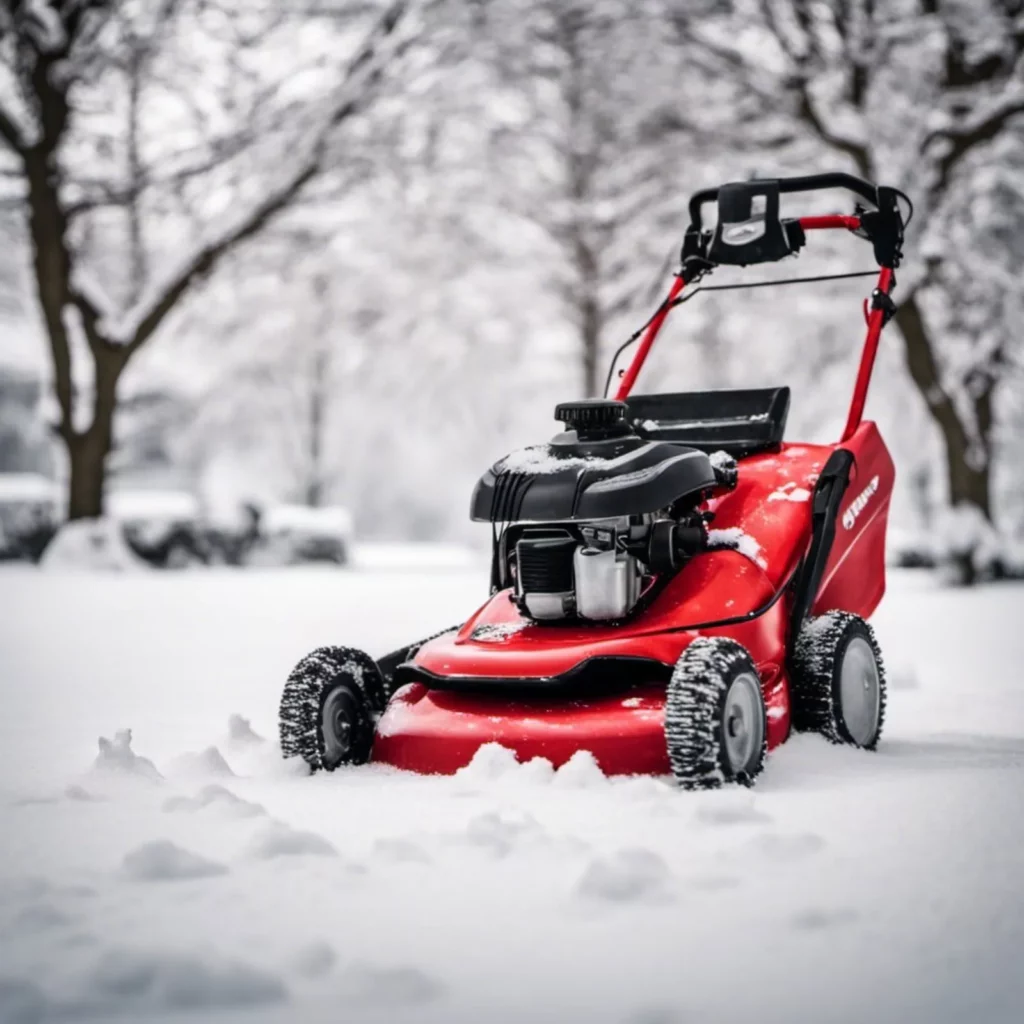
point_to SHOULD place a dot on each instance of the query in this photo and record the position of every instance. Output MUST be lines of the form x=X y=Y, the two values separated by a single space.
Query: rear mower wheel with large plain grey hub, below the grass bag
x=838 y=685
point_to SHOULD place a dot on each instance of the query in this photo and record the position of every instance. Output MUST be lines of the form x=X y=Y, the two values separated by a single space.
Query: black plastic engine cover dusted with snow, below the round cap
x=603 y=480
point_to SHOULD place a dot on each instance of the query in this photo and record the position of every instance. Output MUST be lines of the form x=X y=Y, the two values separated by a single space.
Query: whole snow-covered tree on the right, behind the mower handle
x=927 y=96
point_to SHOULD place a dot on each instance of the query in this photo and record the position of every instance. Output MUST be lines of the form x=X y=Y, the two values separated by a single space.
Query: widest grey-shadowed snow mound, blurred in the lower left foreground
x=130 y=982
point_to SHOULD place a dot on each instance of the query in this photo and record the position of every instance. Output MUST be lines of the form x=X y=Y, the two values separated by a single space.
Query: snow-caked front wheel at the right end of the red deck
x=715 y=721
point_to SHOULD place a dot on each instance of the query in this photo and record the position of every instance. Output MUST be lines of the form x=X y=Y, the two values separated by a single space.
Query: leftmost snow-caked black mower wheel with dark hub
x=330 y=707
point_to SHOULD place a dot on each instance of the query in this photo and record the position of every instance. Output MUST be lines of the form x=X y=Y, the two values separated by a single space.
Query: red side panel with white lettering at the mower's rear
x=856 y=575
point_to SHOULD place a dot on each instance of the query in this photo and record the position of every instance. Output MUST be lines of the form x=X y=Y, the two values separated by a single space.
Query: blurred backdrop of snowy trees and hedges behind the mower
x=277 y=276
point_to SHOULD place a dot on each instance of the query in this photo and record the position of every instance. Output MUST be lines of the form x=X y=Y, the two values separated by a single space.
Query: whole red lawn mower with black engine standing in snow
x=673 y=587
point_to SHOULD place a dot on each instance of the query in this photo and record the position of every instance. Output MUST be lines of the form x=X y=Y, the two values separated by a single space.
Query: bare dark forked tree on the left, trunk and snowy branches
x=109 y=134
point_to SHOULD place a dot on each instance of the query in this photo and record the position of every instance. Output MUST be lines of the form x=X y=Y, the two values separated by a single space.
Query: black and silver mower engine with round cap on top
x=588 y=523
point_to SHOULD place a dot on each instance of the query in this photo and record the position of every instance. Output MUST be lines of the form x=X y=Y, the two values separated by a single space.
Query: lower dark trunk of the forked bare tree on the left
x=88 y=451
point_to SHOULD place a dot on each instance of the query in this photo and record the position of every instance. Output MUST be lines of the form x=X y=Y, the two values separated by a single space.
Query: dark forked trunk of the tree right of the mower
x=968 y=458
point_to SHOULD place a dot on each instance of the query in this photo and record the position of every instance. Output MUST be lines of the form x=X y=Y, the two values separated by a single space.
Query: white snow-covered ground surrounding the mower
x=167 y=881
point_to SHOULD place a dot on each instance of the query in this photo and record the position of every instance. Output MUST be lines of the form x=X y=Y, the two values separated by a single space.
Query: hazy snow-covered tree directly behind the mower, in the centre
x=591 y=127
